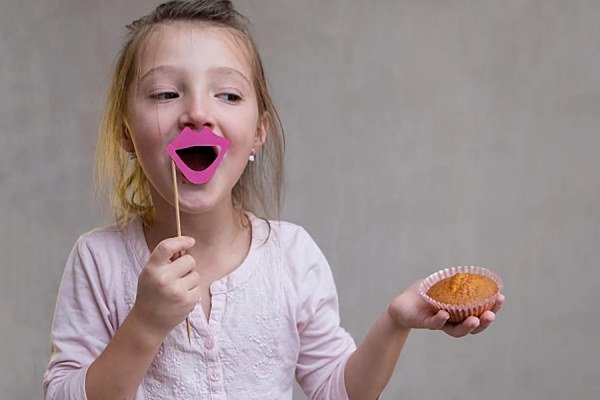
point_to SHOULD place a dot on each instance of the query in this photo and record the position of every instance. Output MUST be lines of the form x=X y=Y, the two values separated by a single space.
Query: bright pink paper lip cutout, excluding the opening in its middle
x=189 y=138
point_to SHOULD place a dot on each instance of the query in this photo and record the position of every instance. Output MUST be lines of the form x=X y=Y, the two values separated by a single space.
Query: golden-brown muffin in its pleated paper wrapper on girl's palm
x=462 y=291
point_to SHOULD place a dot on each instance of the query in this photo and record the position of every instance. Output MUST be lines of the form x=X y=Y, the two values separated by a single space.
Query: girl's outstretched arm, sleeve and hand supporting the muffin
x=328 y=366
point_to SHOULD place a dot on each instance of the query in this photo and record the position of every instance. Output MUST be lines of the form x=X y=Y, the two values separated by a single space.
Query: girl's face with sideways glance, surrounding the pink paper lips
x=193 y=76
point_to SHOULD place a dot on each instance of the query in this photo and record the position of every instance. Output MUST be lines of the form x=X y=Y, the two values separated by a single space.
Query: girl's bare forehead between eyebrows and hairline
x=194 y=46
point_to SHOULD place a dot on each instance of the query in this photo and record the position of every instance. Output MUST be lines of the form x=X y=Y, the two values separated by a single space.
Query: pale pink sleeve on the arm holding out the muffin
x=324 y=345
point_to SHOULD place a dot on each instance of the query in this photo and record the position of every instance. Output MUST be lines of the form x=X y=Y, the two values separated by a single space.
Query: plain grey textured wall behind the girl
x=421 y=135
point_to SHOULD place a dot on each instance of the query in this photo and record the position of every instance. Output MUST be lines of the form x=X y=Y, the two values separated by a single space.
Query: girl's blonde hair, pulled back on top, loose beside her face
x=260 y=188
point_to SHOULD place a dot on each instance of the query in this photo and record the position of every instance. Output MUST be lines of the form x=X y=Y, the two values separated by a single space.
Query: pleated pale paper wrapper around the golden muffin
x=460 y=312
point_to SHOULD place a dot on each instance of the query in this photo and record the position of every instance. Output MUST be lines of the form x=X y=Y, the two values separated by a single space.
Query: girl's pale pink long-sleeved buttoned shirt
x=272 y=319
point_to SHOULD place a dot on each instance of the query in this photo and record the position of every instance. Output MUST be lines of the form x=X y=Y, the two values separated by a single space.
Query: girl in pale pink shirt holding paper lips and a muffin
x=259 y=294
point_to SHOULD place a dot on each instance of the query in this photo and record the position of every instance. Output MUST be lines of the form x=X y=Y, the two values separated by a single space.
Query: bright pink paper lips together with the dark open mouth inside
x=198 y=154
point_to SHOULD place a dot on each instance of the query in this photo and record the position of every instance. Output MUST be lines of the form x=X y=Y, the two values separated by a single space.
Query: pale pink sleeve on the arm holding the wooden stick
x=81 y=327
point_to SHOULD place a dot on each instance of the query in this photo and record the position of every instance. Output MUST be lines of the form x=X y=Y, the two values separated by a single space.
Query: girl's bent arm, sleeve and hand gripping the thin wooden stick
x=90 y=360
